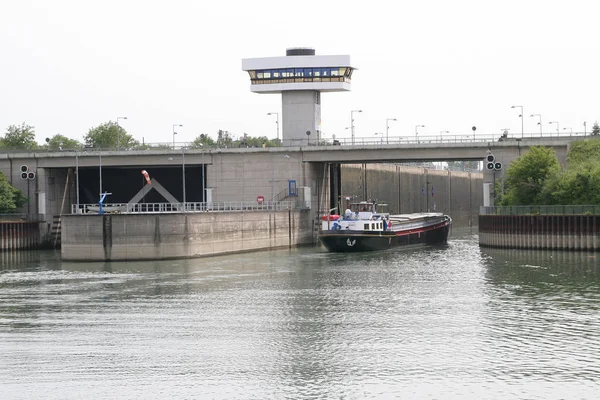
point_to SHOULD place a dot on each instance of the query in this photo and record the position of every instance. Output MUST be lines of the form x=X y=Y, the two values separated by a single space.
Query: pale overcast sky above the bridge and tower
x=70 y=65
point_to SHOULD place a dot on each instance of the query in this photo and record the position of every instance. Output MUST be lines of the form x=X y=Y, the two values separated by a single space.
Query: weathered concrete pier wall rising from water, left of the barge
x=124 y=237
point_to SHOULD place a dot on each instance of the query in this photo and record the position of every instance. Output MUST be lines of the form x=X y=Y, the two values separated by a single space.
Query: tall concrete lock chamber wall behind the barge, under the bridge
x=409 y=189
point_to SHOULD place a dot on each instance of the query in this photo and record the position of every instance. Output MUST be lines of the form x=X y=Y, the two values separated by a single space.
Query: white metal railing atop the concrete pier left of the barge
x=144 y=208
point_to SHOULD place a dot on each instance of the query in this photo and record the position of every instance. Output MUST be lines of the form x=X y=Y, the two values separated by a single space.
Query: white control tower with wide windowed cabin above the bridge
x=300 y=77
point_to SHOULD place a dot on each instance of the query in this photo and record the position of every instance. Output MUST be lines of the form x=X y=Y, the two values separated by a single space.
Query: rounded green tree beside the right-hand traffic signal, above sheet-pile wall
x=526 y=177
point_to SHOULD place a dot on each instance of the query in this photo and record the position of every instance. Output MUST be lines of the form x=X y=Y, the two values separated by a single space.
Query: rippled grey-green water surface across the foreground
x=451 y=322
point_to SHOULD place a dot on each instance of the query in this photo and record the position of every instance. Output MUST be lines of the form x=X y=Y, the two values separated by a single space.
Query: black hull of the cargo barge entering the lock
x=357 y=241
